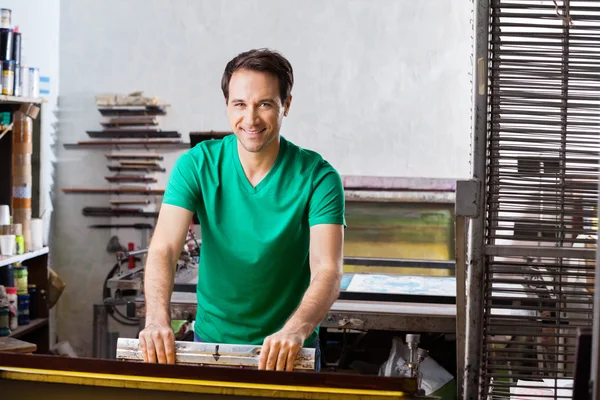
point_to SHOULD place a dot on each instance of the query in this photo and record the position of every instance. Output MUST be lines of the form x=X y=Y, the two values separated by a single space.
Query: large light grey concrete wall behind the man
x=382 y=88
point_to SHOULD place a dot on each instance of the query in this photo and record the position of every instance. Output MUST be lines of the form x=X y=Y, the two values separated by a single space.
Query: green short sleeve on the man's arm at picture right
x=327 y=203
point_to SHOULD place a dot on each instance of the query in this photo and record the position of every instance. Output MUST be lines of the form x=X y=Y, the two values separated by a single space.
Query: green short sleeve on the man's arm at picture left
x=183 y=187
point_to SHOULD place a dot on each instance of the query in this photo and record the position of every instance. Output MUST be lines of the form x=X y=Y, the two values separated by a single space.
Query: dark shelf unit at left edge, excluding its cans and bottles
x=37 y=331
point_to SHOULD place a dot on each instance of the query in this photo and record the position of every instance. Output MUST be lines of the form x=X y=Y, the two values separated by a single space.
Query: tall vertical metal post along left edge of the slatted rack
x=476 y=240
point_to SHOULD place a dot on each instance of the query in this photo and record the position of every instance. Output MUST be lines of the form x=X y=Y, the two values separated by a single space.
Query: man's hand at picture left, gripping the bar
x=157 y=342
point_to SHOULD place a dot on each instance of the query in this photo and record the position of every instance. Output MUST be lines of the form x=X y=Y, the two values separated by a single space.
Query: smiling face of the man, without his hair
x=255 y=109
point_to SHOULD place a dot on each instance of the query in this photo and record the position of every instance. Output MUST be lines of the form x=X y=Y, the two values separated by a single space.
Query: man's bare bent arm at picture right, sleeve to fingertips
x=326 y=265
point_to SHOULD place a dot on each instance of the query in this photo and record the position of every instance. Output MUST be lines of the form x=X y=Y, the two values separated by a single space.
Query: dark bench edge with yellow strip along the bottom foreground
x=26 y=376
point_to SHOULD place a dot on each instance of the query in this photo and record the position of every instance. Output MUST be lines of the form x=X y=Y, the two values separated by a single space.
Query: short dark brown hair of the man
x=263 y=60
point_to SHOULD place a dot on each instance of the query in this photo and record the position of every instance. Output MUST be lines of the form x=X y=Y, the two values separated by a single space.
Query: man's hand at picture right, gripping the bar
x=279 y=351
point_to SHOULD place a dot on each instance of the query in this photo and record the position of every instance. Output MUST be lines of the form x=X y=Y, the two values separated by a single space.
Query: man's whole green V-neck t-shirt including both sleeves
x=254 y=260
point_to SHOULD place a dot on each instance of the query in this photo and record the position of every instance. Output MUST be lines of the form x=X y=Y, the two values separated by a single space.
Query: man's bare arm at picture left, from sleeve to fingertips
x=157 y=339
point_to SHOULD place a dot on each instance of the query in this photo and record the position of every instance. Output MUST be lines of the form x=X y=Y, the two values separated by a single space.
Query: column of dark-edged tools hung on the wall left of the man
x=132 y=140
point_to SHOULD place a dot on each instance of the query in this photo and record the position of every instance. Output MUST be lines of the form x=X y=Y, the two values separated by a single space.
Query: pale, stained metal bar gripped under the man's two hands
x=213 y=354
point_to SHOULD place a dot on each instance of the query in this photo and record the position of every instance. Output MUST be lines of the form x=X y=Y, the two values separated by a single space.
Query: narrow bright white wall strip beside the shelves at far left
x=38 y=22
